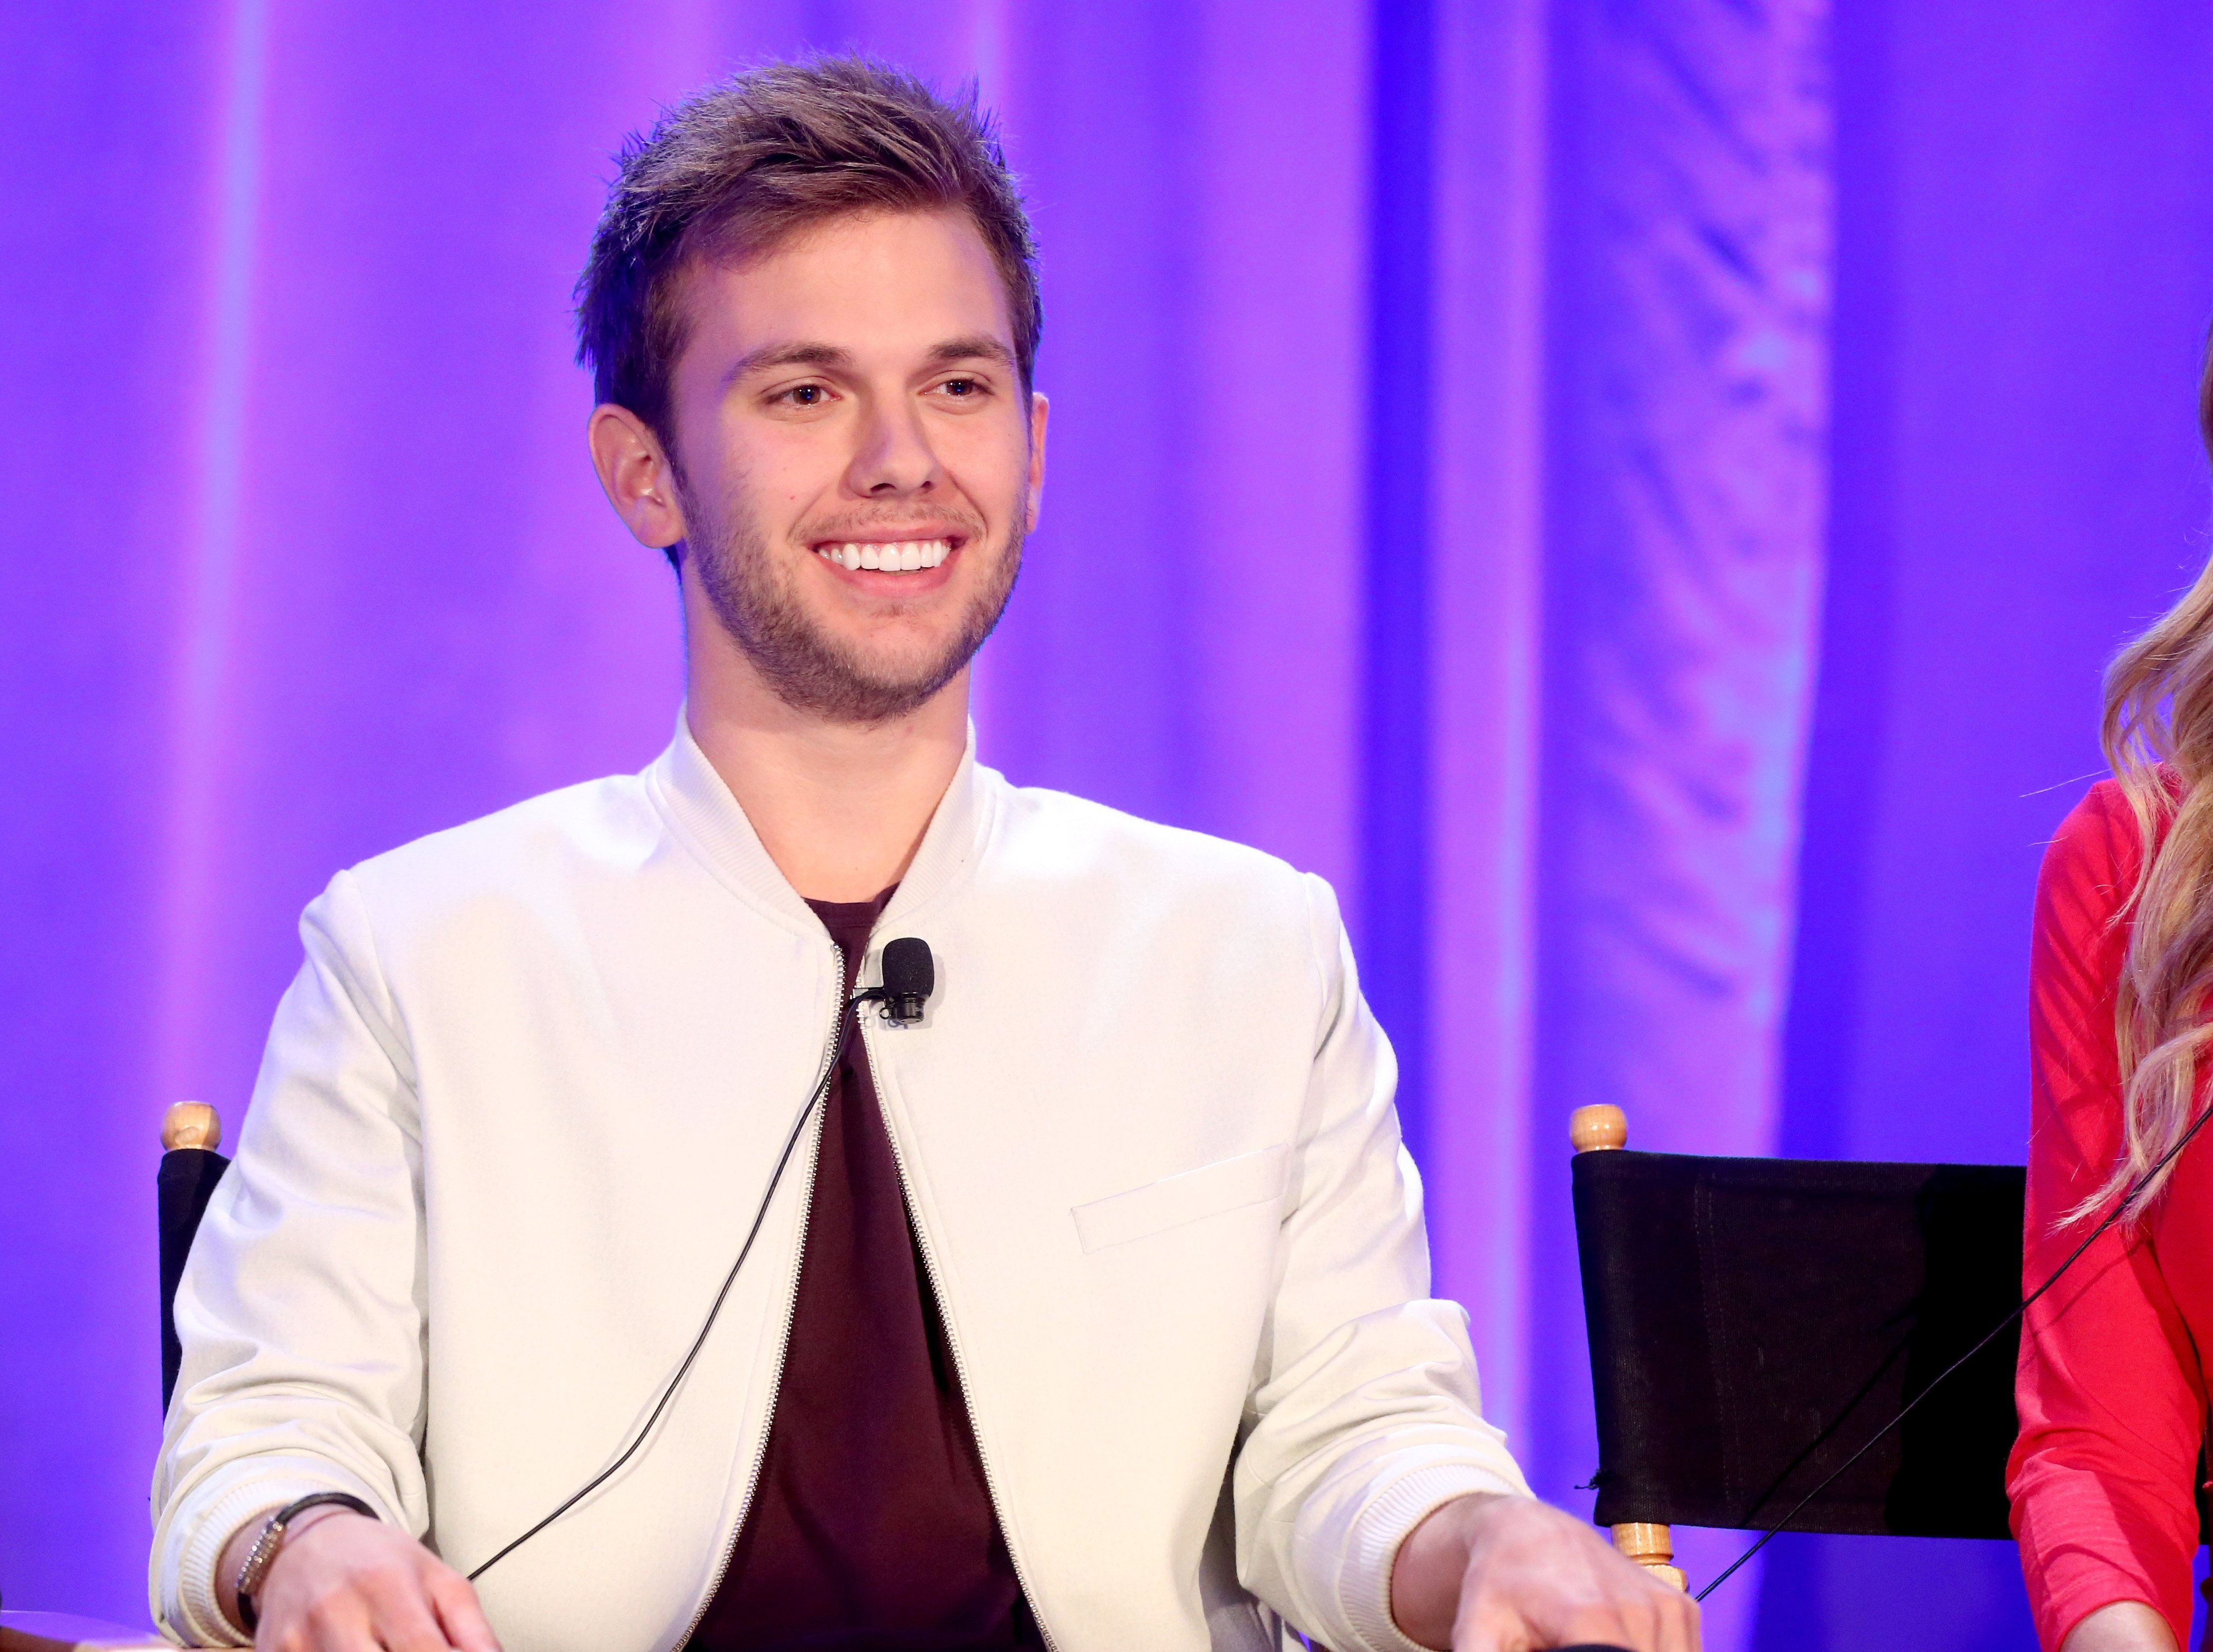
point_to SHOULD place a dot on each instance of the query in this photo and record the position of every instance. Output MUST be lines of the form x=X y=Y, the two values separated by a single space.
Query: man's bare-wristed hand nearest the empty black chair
x=1515 y=1576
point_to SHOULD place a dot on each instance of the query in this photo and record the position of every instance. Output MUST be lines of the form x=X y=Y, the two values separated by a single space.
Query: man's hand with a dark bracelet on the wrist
x=351 y=1584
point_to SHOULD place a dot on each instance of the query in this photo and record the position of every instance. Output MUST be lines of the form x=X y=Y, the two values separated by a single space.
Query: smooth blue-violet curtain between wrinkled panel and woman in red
x=2024 y=285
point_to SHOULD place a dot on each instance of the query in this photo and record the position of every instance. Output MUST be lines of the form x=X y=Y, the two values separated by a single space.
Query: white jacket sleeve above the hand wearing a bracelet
x=302 y=1305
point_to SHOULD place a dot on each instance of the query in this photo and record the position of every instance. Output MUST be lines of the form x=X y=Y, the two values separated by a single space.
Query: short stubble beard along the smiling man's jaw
x=809 y=670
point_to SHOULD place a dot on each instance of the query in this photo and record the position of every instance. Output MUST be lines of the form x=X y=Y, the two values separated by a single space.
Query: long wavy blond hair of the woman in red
x=2159 y=739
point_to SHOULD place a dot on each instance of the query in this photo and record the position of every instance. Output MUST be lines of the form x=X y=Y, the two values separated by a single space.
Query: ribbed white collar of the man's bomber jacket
x=711 y=825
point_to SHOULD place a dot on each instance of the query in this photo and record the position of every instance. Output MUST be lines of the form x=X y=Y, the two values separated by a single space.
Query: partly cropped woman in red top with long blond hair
x=2121 y=1018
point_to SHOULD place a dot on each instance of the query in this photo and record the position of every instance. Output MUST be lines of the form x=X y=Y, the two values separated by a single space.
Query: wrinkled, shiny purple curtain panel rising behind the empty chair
x=1683 y=561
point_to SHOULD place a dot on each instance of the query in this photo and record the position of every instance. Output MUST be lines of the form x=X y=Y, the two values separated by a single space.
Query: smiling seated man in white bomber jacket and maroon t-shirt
x=1090 y=1310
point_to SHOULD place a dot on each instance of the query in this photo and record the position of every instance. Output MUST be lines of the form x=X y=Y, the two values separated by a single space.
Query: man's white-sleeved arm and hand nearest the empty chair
x=1367 y=1427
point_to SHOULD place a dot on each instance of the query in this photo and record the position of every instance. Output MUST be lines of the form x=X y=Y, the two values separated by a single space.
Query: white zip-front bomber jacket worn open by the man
x=526 y=1095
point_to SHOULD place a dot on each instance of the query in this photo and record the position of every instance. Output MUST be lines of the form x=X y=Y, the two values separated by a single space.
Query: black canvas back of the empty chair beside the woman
x=1758 y=1321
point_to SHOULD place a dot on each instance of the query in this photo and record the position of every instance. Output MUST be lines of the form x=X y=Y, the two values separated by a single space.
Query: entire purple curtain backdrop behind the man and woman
x=1446 y=404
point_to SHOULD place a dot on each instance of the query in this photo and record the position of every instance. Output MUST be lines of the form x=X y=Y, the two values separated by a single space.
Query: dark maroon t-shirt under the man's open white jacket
x=871 y=1527
